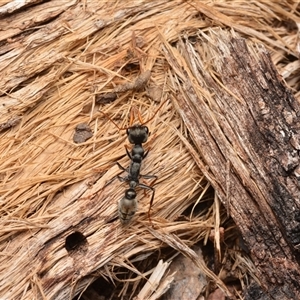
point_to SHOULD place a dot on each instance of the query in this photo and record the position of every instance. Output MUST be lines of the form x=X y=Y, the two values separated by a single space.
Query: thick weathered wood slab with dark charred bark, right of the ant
x=244 y=123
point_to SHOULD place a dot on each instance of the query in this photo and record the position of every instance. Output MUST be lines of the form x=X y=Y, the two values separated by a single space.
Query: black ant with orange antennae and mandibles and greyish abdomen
x=137 y=135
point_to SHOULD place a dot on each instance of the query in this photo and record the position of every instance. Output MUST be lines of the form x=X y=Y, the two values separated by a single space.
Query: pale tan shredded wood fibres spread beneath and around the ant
x=51 y=75
